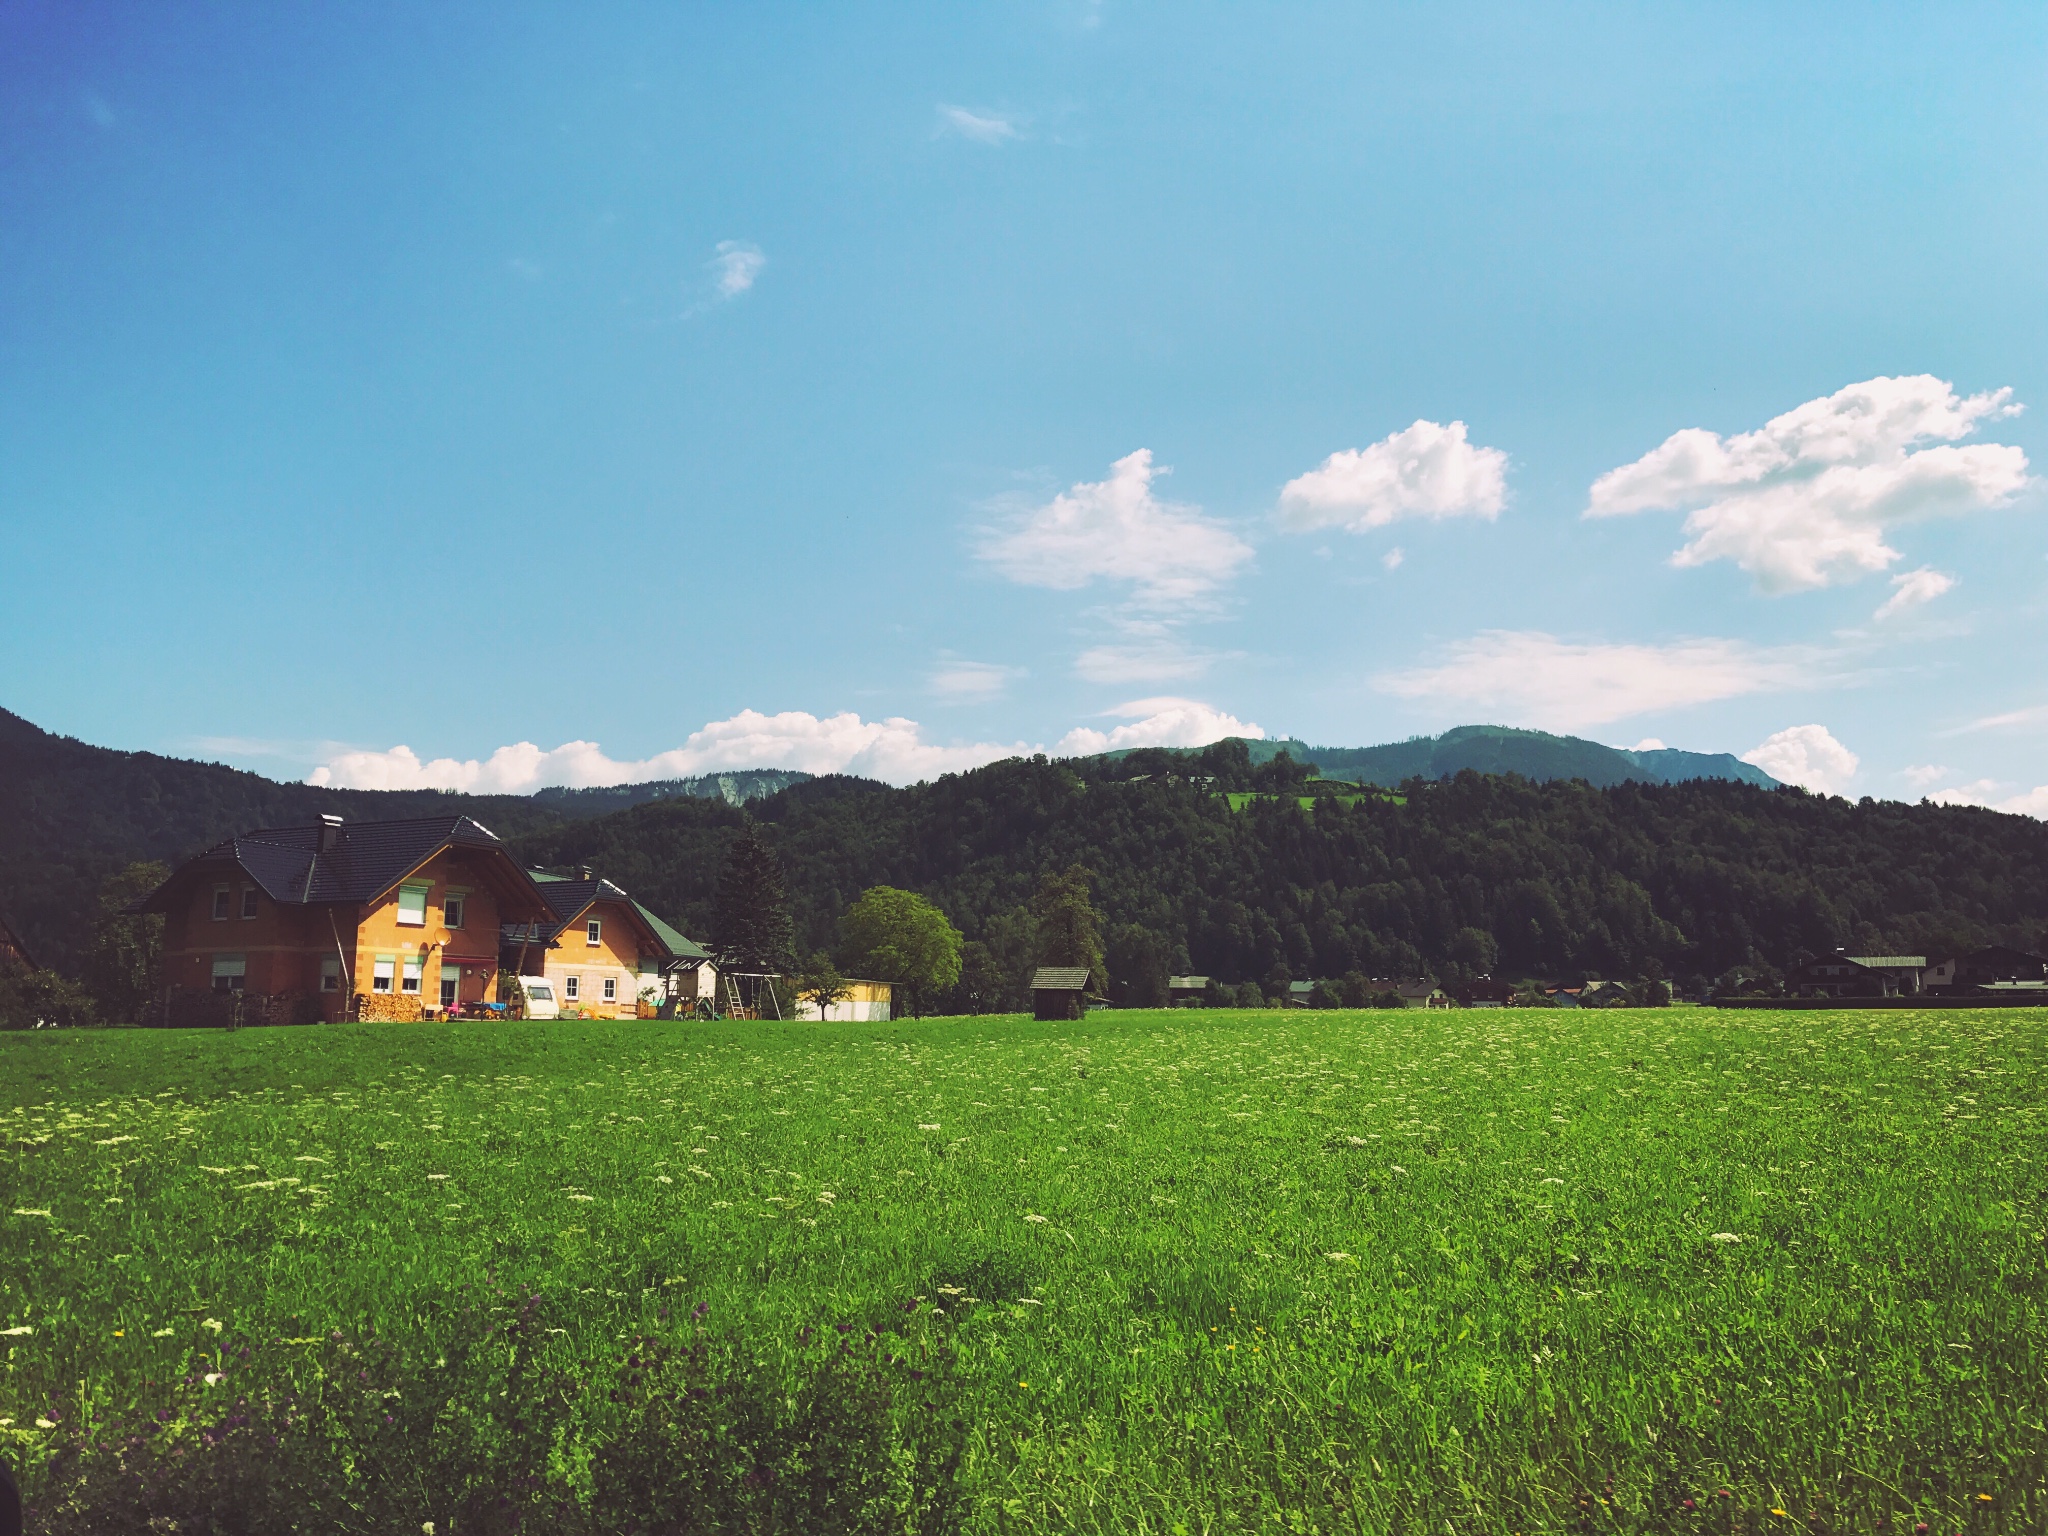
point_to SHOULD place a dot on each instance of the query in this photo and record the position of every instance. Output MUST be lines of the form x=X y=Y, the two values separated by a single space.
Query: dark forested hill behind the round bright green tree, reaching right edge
x=1461 y=876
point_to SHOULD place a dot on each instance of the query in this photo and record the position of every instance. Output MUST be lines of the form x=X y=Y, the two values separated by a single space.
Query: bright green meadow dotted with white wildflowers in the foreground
x=1154 y=1273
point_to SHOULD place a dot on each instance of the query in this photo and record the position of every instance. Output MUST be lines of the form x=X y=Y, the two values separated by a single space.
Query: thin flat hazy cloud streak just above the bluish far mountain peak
x=1535 y=679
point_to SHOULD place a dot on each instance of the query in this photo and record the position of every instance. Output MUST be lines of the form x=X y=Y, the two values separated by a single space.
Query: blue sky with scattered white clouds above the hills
x=572 y=394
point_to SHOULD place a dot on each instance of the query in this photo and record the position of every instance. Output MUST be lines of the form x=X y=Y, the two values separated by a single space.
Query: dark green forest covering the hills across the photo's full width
x=1449 y=876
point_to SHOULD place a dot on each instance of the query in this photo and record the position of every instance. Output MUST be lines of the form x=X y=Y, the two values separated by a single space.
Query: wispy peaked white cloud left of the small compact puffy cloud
x=1117 y=529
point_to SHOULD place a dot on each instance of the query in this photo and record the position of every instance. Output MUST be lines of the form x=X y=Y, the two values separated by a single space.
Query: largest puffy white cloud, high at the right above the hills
x=1807 y=499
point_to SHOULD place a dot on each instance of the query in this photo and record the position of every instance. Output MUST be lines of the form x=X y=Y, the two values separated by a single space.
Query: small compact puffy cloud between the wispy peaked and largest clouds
x=1422 y=472
